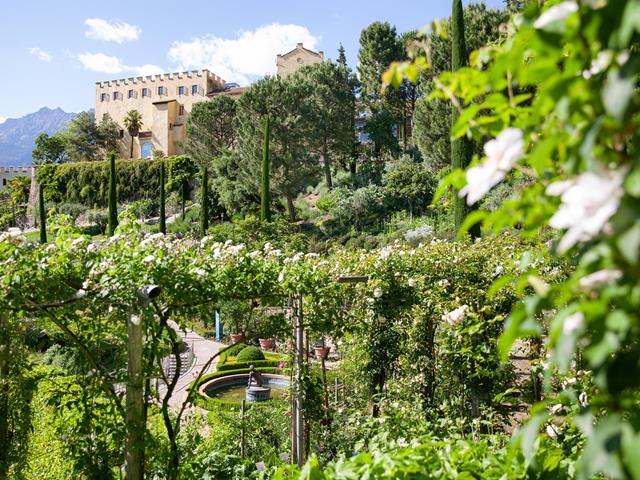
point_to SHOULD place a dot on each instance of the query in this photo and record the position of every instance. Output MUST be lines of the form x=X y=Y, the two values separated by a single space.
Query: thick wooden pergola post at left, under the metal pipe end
x=134 y=456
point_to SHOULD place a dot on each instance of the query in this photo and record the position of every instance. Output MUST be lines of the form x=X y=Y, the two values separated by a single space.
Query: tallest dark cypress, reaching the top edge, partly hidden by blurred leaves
x=461 y=148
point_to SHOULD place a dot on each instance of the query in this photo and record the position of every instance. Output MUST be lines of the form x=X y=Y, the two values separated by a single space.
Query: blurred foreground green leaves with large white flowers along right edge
x=559 y=96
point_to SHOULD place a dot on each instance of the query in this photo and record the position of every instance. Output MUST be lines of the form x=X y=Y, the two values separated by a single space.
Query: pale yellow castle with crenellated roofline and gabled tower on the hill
x=165 y=101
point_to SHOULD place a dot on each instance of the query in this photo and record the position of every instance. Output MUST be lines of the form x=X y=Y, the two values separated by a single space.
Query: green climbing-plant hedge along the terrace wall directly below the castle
x=87 y=183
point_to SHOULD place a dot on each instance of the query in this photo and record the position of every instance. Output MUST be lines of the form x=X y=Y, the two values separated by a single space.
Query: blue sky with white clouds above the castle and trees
x=53 y=52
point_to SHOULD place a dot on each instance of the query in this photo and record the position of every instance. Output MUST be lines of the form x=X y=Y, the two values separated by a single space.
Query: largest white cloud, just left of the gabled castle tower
x=251 y=54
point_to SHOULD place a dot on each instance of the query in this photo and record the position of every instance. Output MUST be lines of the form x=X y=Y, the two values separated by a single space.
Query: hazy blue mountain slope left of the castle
x=17 y=135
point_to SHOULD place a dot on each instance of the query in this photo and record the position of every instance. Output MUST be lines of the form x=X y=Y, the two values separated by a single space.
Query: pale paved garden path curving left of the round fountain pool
x=202 y=349
